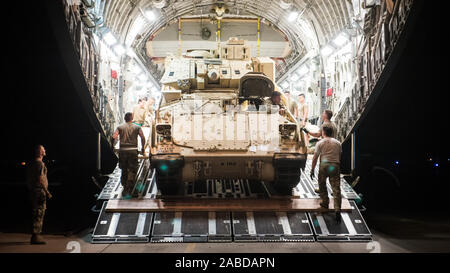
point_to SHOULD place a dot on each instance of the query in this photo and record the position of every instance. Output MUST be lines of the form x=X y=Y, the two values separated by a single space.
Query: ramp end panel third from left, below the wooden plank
x=271 y=226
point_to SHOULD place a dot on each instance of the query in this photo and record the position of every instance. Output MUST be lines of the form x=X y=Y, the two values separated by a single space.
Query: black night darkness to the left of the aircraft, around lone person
x=41 y=105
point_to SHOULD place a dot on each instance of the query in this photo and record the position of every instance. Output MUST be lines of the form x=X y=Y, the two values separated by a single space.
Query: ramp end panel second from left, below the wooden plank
x=191 y=227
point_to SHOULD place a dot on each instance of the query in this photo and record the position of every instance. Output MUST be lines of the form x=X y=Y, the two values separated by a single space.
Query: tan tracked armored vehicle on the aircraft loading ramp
x=216 y=120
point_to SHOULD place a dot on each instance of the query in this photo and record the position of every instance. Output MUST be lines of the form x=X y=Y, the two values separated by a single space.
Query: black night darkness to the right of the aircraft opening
x=409 y=124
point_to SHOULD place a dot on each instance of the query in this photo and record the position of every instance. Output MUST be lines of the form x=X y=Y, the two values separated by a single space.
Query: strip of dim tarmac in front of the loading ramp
x=80 y=243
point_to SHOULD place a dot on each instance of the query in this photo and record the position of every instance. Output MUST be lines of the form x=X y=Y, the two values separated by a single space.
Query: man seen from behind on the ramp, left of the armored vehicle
x=128 y=152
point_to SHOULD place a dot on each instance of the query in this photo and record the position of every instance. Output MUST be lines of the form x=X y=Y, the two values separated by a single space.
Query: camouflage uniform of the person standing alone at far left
x=38 y=195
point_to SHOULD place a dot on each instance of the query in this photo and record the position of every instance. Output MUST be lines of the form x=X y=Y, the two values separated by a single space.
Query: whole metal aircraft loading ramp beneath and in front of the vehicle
x=264 y=224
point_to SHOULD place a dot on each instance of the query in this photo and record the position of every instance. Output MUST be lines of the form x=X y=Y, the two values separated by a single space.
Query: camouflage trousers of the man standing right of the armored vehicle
x=331 y=171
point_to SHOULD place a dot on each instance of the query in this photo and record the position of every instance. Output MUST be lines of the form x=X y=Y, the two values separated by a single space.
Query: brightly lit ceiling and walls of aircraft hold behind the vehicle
x=333 y=51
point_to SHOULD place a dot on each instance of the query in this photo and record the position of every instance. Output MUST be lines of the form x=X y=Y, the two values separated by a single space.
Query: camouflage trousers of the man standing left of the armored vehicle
x=128 y=163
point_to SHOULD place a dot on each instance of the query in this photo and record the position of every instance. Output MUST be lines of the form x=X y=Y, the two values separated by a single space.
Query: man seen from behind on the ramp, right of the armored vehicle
x=329 y=150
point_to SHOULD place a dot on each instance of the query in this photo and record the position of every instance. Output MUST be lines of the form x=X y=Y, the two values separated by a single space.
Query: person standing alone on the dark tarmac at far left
x=38 y=187
